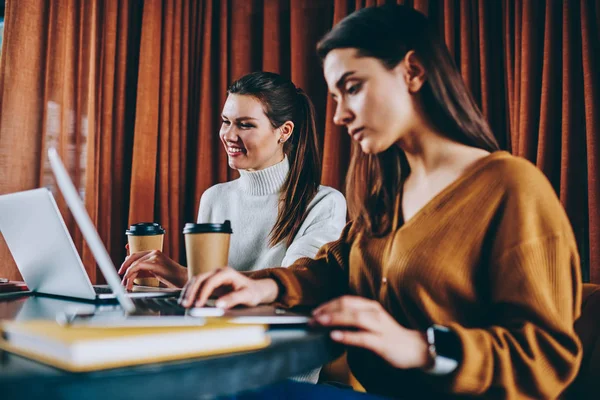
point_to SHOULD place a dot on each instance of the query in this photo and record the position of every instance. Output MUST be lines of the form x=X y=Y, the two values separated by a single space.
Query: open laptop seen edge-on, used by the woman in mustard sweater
x=145 y=307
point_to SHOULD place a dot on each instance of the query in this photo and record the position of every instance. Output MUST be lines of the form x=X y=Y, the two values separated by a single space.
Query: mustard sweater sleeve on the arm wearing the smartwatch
x=529 y=348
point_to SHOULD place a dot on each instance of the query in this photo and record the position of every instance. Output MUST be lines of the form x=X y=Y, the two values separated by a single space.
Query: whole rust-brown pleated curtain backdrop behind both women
x=132 y=91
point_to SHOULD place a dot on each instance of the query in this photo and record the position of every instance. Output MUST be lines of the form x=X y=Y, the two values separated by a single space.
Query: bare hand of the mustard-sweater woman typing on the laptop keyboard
x=239 y=289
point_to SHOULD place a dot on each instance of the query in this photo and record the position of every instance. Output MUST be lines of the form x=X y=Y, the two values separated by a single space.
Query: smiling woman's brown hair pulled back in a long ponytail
x=283 y=101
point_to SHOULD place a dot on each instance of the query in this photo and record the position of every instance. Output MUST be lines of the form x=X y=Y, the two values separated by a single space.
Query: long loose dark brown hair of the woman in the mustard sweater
x=387 y=33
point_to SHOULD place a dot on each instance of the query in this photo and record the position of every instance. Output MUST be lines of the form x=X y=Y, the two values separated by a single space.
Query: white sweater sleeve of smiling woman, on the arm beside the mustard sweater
x=324 y=223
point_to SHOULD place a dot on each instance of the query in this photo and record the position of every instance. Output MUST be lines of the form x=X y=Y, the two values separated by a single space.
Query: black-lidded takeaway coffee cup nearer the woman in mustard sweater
x=206 y=246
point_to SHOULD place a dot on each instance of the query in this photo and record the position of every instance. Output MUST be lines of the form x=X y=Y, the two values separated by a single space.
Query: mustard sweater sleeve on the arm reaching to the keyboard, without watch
x=310 y=282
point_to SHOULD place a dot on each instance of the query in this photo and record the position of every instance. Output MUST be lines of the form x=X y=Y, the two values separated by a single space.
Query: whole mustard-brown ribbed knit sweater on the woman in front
x=493 y=257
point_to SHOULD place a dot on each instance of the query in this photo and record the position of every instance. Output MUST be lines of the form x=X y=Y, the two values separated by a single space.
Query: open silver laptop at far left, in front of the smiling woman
x=44 y=252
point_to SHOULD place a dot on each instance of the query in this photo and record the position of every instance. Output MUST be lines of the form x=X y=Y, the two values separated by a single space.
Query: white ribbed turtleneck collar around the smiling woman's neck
x=265 y=181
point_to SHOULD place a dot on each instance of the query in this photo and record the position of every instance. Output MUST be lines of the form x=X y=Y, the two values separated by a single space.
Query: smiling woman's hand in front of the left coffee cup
x=153 y=263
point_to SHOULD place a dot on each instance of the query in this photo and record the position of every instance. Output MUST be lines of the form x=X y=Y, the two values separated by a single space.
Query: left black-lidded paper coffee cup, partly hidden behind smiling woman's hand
x=143 y=237
